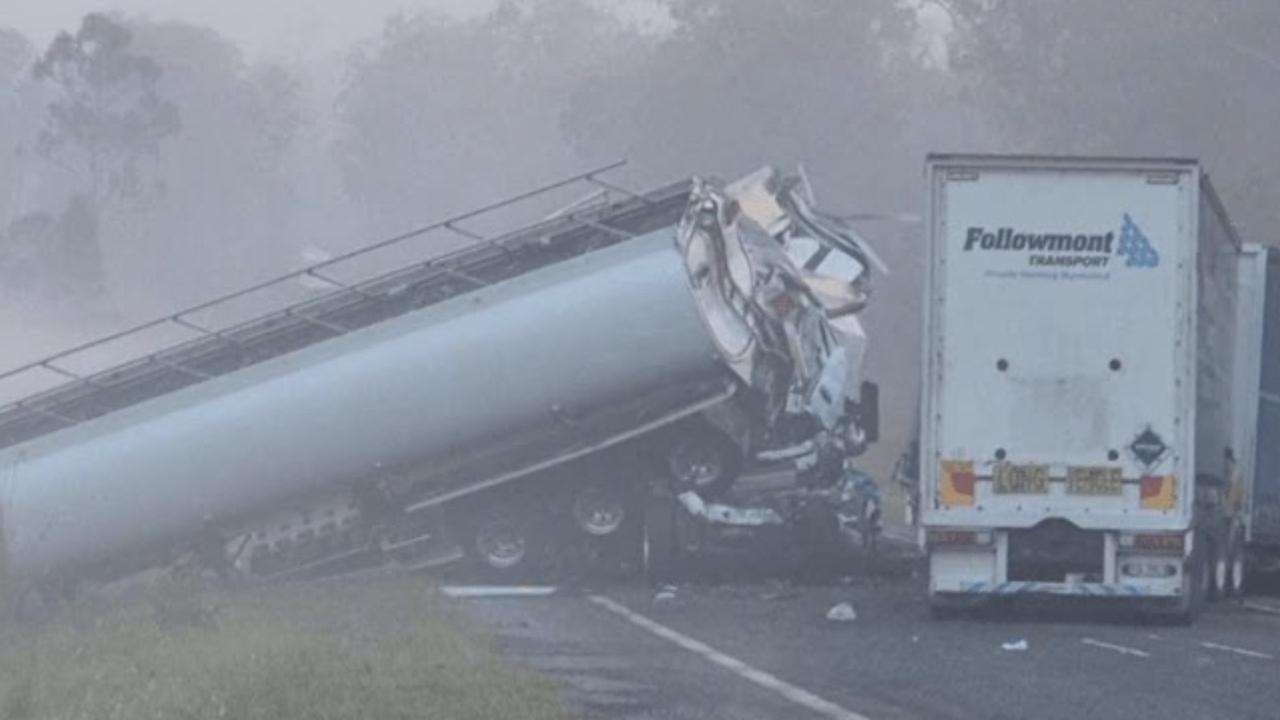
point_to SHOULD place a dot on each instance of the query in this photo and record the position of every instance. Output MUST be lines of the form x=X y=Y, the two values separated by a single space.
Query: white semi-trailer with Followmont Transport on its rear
x=1077 y=417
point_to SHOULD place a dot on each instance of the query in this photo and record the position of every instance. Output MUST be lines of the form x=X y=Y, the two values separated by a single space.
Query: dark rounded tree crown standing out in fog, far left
x=108 y=113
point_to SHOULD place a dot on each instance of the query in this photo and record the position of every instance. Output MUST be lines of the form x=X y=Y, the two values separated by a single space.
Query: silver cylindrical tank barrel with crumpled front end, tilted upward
x=541 y=348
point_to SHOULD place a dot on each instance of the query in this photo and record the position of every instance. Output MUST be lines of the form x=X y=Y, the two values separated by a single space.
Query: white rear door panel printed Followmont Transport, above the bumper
x=1060 y=350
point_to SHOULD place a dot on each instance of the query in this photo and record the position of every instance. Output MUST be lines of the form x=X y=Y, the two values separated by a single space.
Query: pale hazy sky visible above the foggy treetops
x=280 y=29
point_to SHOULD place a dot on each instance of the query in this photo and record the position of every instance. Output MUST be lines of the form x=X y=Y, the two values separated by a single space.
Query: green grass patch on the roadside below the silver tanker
x=383 y=649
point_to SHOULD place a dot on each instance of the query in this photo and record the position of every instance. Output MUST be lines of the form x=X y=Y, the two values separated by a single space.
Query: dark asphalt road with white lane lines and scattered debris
x=761 y=651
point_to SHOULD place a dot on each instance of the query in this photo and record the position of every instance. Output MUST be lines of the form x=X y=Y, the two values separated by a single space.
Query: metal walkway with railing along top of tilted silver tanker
x=333 y=306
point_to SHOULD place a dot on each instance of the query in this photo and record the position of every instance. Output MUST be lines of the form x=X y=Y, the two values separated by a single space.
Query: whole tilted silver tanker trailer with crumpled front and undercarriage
x=444 y=409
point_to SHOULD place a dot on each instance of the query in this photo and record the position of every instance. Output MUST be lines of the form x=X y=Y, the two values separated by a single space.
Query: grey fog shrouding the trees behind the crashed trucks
x=223 y=143
